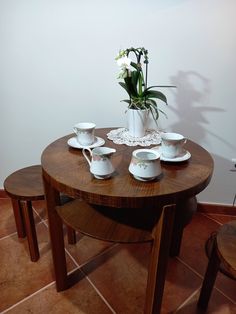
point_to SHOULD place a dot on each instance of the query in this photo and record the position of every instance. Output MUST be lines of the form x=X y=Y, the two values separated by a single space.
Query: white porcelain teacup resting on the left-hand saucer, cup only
x=85 y=133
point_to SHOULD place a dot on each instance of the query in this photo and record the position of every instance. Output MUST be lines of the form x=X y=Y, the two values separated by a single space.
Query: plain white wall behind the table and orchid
x=57 y=68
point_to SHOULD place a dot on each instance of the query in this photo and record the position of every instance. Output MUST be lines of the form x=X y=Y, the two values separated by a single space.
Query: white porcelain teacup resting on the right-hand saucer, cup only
x=172 y=144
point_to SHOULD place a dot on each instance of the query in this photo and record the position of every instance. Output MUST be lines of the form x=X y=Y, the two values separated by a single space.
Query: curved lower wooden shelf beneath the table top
x=109 y=224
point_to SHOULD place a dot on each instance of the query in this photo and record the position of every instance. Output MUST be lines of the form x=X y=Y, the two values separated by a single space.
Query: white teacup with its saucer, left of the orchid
x=85 y=136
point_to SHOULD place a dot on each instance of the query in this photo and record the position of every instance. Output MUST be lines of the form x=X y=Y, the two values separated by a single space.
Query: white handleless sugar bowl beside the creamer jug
x=145 y=164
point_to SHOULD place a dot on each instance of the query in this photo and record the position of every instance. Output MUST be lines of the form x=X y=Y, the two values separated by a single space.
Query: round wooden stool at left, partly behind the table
x=24 y=186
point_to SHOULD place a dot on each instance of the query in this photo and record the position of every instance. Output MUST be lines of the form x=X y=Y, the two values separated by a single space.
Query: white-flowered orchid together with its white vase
x=142 y=99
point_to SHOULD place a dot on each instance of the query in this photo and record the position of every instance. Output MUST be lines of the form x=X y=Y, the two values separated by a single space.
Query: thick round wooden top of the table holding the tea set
x=68 y=171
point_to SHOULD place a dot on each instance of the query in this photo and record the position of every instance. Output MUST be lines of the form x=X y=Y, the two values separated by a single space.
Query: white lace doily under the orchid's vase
x=122 y=136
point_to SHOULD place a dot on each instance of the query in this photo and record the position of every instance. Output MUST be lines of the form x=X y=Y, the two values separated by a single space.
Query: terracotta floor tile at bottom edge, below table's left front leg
x=79 y=299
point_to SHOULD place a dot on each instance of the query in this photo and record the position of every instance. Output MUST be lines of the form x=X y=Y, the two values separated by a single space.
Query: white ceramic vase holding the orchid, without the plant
x=137 y=122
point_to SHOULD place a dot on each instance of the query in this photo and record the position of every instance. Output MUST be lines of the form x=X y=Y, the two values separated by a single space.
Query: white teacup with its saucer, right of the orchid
x=172 y=147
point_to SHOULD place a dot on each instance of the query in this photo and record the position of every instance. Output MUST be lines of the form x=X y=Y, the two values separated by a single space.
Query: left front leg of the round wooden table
x=56 y=234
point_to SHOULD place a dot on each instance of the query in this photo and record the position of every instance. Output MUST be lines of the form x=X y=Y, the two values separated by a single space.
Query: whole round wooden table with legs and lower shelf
x=138 y=211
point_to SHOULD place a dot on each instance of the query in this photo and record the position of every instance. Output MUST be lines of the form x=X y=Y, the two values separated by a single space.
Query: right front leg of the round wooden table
x=159 y=260
